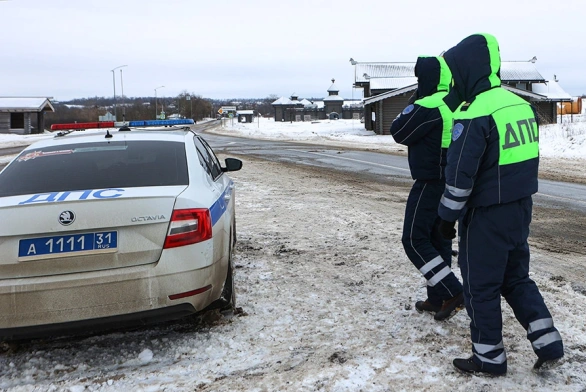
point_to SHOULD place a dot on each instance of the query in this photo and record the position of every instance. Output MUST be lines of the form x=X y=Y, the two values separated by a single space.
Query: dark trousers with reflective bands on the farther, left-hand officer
x=429 y=252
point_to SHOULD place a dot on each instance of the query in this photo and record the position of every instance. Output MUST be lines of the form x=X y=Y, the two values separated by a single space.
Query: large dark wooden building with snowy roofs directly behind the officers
x=389 y=86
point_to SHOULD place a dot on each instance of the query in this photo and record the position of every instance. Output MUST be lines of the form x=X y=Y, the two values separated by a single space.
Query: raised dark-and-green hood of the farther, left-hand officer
x=433 y=75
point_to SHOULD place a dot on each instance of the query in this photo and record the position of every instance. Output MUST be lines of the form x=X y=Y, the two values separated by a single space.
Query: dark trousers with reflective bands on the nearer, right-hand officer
x=494 y=259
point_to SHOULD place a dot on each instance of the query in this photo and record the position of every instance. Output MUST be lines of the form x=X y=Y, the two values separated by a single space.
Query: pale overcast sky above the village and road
x=252 y=49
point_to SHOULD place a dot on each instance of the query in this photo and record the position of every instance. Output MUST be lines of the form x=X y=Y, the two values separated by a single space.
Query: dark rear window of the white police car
x=115 y=164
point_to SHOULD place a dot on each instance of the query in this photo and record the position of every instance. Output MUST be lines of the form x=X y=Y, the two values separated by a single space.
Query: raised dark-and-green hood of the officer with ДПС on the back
x=475 y=64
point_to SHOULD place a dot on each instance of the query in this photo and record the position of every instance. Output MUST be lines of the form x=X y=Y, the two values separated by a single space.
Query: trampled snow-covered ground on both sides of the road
x=327 y=295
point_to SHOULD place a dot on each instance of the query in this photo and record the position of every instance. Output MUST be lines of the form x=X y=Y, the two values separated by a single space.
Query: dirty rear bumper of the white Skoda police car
x=52 y=304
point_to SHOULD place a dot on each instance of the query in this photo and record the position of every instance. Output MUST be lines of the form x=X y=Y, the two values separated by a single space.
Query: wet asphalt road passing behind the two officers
x=559 y=214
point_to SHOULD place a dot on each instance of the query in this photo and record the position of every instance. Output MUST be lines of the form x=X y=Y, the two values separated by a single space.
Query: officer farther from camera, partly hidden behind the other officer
x=424 y=126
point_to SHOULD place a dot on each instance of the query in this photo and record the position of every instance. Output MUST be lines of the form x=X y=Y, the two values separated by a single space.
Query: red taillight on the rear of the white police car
x=189 y=227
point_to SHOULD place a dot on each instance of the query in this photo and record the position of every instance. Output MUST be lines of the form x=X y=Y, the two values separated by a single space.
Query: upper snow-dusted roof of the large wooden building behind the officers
x=522 y=71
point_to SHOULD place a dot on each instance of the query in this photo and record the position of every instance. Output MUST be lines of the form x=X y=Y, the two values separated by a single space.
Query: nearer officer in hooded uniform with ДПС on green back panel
x=490 y=176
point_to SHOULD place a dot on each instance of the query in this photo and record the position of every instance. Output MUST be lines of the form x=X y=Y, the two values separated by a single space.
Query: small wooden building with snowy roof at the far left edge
x=24 y=115
